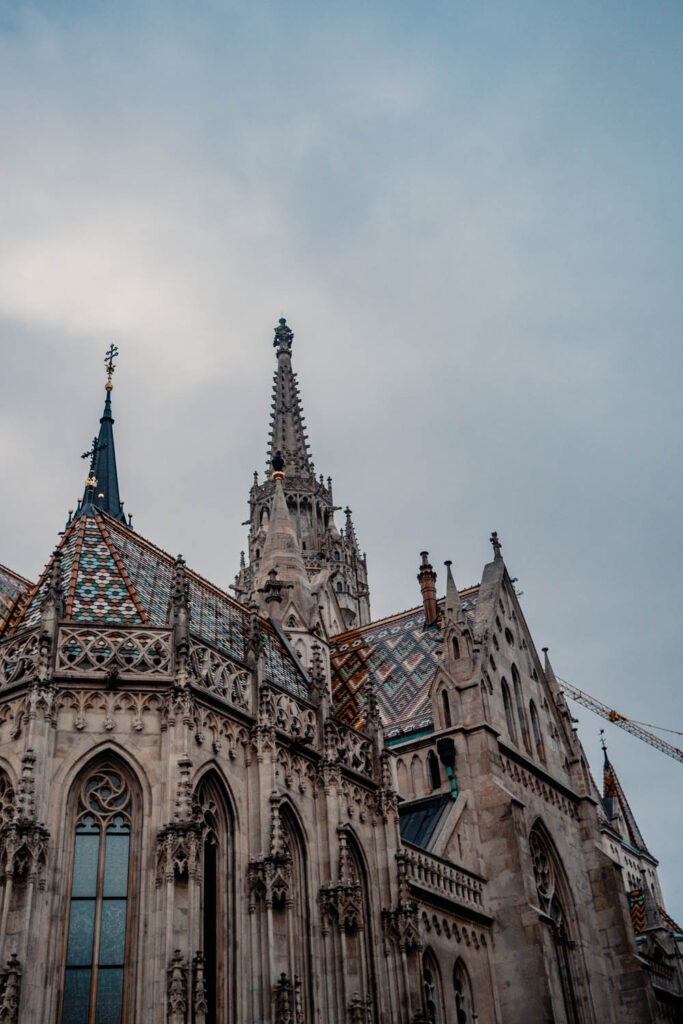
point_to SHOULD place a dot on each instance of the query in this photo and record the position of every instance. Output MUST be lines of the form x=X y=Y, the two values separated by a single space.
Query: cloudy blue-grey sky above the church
x=469 y=214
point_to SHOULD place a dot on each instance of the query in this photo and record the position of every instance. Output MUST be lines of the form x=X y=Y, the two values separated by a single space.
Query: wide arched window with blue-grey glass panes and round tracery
x=100 y=905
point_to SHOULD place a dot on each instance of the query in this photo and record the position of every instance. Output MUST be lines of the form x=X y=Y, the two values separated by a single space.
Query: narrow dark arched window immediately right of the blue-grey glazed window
x=215 y=879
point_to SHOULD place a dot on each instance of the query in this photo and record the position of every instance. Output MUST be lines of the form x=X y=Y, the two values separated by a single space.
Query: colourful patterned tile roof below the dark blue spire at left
x=112 y=575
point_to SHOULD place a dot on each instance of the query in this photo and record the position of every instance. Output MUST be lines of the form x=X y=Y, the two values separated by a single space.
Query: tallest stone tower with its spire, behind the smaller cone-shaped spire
x=335 y=569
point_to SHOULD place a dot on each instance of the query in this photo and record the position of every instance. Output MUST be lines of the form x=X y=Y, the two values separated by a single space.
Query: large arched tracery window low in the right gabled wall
x=557 y=904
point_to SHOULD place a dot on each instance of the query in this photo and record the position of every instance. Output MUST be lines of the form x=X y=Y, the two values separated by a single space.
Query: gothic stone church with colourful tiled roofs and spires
x=264 y=807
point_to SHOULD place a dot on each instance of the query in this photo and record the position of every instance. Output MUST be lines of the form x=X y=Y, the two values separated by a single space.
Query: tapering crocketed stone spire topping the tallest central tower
x=288 y=434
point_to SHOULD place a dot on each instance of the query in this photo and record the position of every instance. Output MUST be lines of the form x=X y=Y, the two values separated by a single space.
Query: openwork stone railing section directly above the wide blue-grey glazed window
x=88 y=651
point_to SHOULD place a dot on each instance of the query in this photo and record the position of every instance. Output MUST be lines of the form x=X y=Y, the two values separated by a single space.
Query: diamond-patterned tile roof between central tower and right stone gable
x=398 y=657
